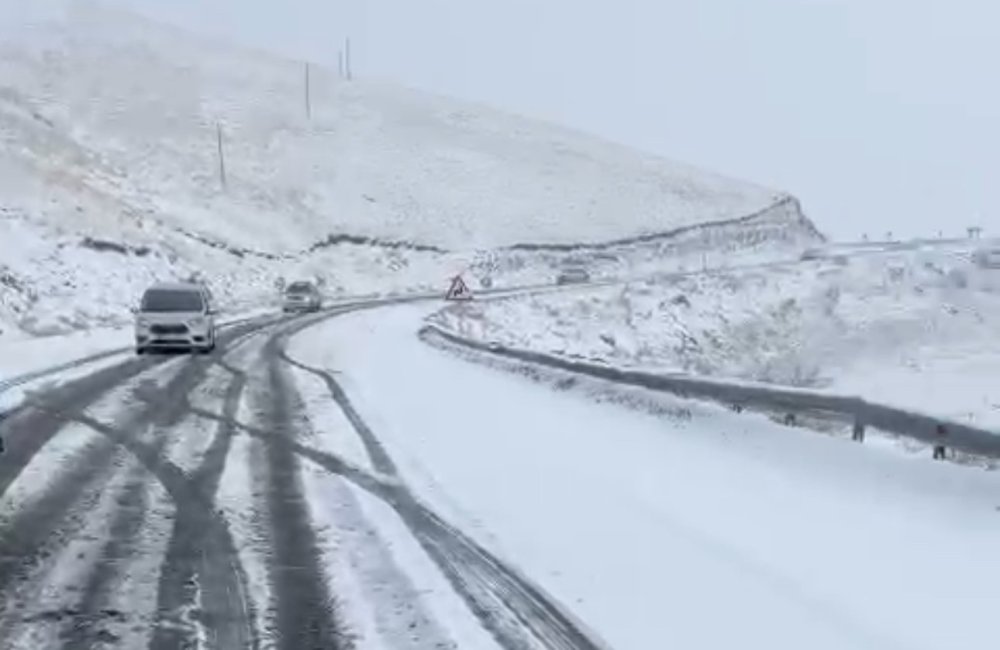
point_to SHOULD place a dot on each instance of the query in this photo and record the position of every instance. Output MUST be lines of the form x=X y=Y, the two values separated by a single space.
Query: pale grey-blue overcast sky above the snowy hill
x=879 y=114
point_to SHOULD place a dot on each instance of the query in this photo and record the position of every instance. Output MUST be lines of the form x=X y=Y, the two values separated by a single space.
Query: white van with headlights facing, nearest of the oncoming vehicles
x=175 y=316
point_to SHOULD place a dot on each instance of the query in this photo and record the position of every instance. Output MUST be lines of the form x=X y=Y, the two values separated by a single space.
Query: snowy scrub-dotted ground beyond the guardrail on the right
x=914 y=328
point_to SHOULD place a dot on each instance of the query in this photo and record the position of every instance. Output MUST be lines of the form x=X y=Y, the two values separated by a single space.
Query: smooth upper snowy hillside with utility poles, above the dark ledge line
x=117 y=102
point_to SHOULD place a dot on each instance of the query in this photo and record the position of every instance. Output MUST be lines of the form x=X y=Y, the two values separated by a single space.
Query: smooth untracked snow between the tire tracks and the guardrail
x=712 y=531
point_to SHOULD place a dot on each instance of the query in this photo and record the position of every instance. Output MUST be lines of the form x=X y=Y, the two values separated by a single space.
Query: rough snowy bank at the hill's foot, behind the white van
x=54 y=282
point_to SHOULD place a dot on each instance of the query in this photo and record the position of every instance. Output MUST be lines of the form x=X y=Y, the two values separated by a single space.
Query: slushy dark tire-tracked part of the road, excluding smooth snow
x=111 y=534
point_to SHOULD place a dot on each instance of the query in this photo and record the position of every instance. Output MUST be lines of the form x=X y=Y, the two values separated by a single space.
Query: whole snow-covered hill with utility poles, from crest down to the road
x=108 y=134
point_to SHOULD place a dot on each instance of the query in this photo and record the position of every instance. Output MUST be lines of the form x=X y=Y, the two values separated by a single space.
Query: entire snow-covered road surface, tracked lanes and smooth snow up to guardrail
x=332 y=482
